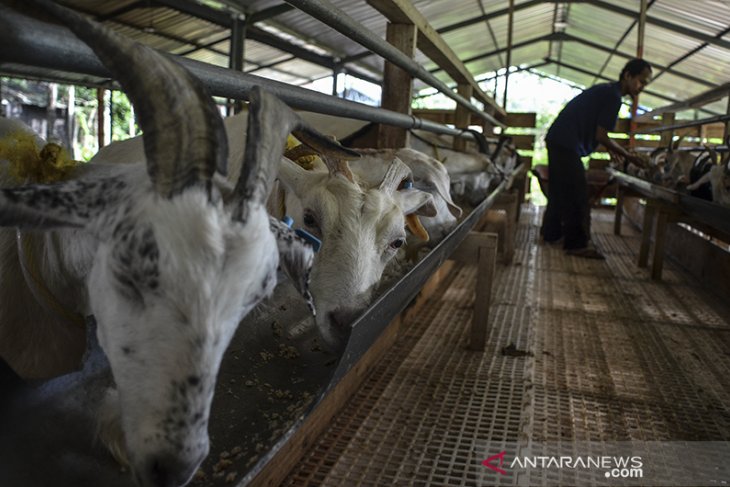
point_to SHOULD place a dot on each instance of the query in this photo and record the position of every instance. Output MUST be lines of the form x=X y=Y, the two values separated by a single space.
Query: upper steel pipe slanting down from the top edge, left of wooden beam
x=343 y=23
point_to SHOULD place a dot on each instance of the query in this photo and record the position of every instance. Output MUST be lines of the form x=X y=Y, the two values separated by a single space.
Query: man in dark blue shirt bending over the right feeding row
x=582 y=124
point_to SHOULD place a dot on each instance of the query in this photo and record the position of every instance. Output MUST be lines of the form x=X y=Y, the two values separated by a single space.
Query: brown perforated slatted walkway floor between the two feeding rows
x=609 y=356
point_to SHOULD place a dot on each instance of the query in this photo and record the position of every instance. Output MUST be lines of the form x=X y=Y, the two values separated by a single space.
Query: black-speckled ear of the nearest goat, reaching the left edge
x=68 y=204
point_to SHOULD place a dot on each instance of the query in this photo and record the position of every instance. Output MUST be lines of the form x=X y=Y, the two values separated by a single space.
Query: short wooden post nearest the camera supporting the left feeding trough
x=480 y=249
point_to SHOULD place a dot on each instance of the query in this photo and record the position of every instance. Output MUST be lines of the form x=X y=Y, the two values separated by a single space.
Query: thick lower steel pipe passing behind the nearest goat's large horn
x=28 y=41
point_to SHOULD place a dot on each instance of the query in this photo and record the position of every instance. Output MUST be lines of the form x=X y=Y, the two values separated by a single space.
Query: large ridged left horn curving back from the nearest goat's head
x=184 y=139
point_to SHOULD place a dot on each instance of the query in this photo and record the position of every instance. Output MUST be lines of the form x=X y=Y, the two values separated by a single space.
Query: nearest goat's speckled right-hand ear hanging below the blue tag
x=295 y=258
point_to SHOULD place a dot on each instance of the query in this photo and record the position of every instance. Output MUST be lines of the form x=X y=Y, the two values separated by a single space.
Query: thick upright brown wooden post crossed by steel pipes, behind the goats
x=397 y=86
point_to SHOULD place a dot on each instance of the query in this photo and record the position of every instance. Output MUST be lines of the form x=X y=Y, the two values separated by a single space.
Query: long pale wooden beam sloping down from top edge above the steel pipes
x=433 y=45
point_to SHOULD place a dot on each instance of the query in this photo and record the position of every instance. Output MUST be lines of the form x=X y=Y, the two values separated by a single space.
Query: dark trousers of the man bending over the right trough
x=568 y=212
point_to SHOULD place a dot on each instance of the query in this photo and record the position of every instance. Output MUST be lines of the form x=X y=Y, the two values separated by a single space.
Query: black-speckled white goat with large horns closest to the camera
x=168 y=258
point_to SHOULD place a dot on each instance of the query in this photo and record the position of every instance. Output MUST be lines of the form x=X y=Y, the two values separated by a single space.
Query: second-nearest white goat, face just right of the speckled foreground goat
x=360 y=225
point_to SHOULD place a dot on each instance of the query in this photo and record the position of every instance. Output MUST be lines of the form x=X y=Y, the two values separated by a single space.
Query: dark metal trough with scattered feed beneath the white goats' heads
x=273 y=375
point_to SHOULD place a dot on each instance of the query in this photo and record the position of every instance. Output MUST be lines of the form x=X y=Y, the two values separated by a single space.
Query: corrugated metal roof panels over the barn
x=600 y=26
